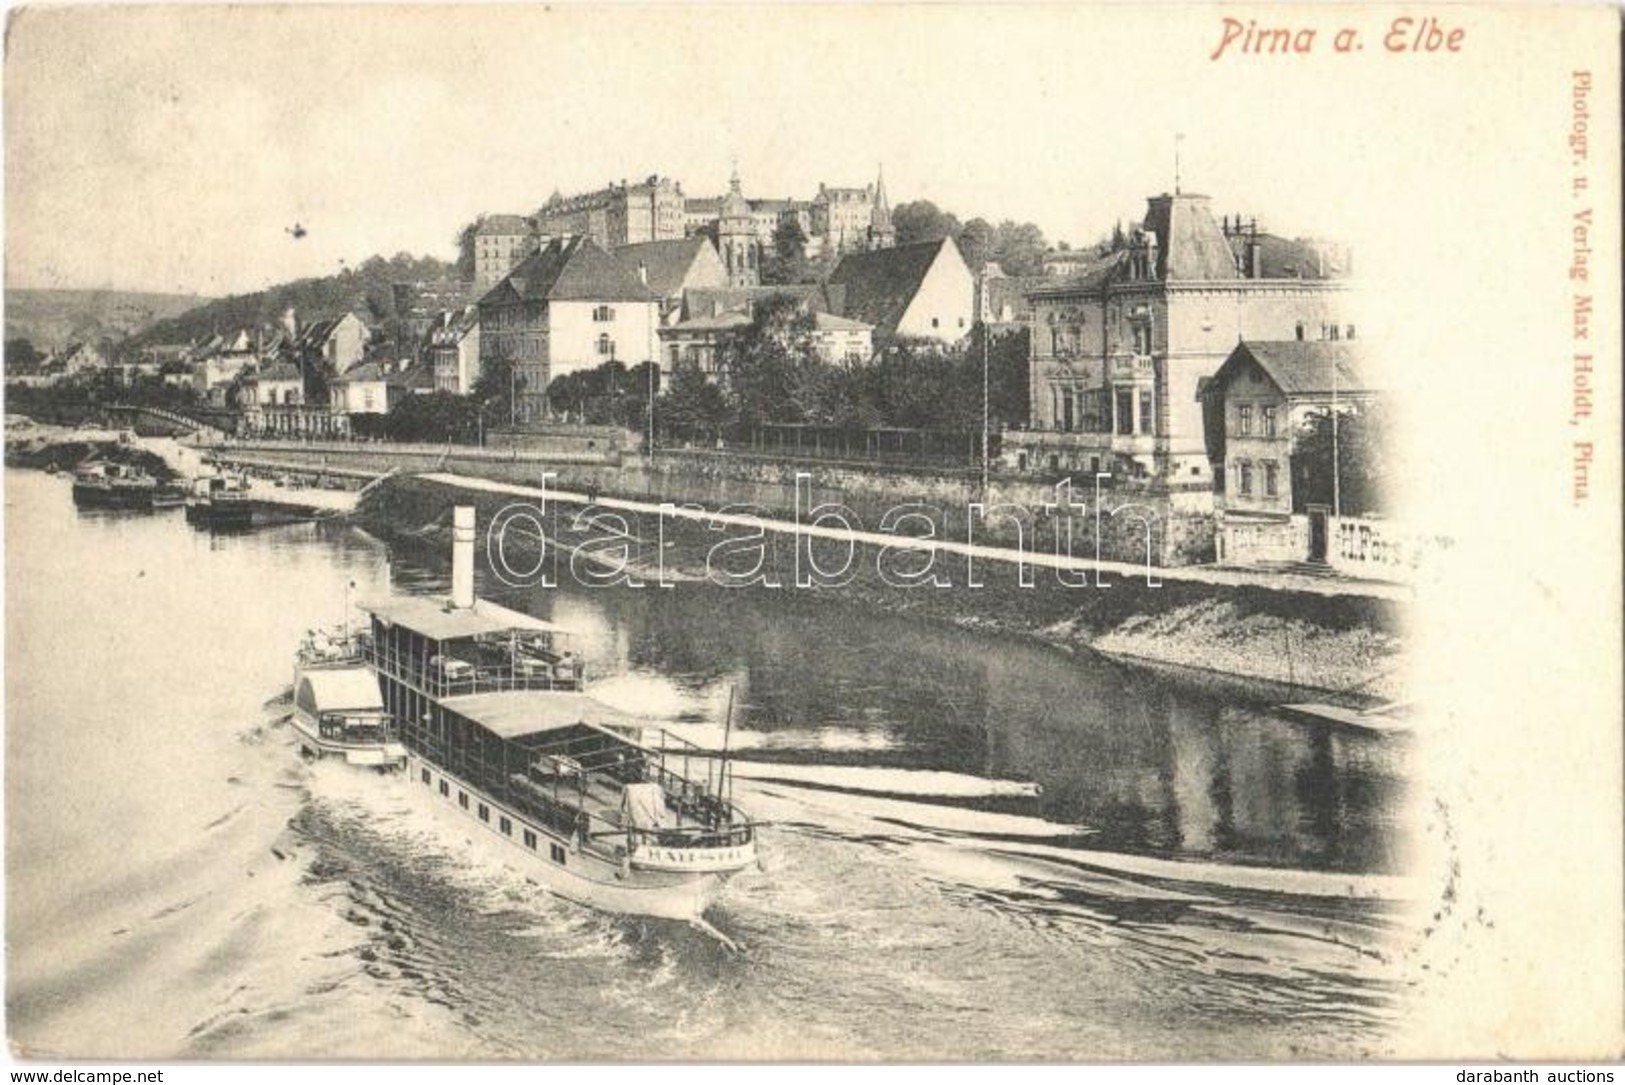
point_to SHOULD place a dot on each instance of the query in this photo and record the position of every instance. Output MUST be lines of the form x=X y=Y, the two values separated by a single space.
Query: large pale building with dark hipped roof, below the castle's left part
x=566 y=308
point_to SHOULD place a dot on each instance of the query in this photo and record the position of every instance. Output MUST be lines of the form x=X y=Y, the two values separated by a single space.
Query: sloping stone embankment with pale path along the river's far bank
x=1345 y=641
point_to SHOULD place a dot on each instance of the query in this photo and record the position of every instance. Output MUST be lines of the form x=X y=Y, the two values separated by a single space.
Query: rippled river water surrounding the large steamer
x=979 y=850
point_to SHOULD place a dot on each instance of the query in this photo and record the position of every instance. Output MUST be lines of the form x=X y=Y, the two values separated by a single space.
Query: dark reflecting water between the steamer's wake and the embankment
x=1143 y=763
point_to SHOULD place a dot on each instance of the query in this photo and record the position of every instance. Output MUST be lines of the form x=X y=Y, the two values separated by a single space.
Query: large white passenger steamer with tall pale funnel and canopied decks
x=498 y=728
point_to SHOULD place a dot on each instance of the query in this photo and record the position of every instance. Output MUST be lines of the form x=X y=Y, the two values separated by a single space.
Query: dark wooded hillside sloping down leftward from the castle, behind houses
x=366 y=290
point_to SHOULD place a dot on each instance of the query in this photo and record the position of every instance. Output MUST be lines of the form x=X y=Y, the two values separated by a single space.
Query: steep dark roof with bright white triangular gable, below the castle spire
x=921 y=292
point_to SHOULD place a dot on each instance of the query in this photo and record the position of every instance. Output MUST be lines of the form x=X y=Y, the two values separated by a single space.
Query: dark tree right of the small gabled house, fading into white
x=1364 y=456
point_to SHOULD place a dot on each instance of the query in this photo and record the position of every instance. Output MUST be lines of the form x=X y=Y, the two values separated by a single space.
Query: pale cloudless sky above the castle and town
x=175 y=149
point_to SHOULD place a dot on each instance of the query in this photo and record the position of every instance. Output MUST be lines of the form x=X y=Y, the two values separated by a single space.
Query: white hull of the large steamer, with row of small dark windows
x=558 y=863
